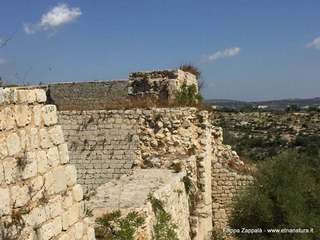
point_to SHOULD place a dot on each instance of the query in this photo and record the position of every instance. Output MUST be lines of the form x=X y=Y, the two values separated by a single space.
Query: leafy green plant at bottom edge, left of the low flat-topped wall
x=113 y=226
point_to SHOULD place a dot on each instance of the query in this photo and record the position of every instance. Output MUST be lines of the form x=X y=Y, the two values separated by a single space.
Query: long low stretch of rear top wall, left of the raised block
x=87 y=95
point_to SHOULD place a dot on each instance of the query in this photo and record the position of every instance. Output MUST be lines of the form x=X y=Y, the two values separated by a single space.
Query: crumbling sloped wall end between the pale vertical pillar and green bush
x=230 y=176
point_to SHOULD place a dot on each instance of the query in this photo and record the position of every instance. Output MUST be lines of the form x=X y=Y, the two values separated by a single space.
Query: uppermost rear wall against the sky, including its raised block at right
x=156 y=85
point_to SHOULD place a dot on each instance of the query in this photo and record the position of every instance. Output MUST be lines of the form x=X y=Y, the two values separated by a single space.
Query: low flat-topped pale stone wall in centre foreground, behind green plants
x=132 y=193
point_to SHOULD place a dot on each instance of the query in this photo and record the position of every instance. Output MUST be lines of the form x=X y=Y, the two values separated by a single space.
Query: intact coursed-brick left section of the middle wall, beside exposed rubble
x=102 y=144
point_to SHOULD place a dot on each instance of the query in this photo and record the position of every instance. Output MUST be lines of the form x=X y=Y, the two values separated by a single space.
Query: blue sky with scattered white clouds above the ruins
x=245 y=49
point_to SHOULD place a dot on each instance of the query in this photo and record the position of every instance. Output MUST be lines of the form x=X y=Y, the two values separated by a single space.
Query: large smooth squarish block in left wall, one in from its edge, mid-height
x=55 y=180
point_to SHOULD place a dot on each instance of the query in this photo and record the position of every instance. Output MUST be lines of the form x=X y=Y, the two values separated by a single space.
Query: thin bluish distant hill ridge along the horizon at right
x=272 y=104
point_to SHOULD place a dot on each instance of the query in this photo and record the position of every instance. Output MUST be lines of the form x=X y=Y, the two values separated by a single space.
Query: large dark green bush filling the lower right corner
x=285 y=195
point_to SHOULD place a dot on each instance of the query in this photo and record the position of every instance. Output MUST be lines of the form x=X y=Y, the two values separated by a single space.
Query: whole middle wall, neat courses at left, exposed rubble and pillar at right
x=106 y=144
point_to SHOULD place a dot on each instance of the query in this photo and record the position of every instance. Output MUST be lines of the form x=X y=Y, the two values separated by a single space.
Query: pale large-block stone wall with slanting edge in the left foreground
x=39 y=195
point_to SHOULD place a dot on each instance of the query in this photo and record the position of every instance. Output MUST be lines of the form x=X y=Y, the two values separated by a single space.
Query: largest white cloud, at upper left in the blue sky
x=56 y=17
